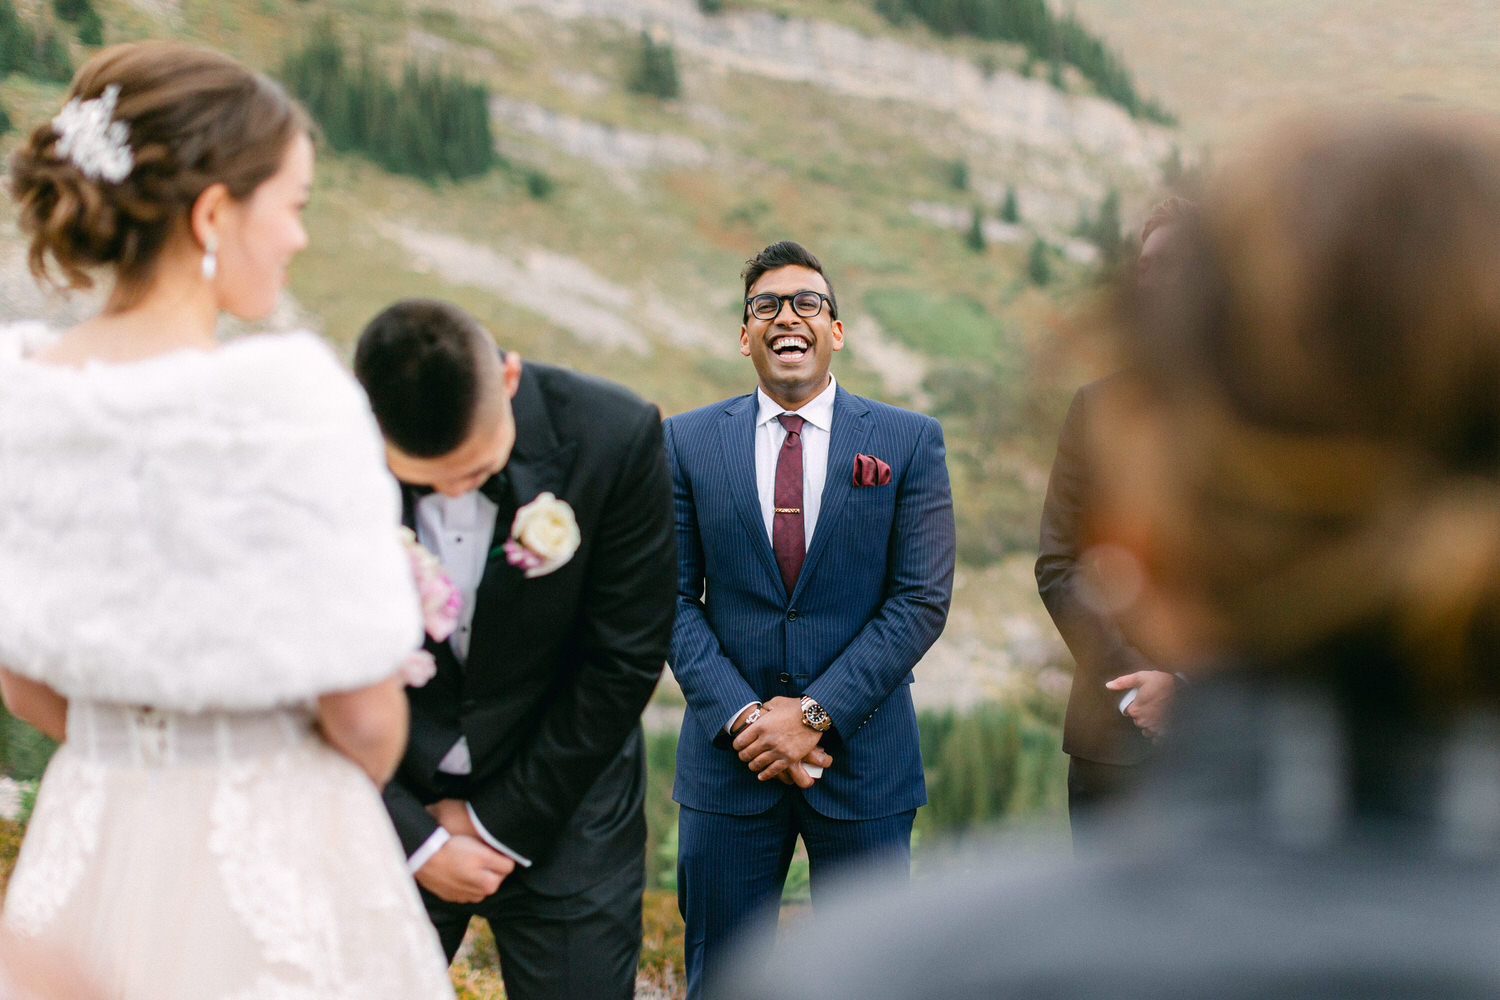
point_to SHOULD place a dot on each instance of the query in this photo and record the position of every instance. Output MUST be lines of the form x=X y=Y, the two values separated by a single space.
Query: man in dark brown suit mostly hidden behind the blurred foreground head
x=1120 y=702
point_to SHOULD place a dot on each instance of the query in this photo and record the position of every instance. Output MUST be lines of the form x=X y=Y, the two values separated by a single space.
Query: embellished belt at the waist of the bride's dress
x=139 y=735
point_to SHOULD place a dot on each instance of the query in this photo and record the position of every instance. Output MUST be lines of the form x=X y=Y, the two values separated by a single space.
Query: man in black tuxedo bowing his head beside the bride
x=521 y=794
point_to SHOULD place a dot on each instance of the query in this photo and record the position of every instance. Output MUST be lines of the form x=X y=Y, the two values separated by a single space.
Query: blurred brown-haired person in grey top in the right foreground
x=1303 y=470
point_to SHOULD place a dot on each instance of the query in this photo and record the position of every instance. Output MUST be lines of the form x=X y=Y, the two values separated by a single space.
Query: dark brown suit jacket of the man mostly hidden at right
x=1094 y=728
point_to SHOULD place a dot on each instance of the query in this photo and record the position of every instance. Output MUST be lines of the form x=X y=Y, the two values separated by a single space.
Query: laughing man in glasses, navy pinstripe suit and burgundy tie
x=817 y=545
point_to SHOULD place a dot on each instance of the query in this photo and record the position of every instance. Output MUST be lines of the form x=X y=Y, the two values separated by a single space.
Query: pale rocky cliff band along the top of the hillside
x=1067 y=149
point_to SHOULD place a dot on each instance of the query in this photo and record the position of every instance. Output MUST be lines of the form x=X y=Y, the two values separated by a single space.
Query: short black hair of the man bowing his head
x=419 y=364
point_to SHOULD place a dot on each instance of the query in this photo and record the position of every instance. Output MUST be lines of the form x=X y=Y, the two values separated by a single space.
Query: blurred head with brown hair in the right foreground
x=1304 y=464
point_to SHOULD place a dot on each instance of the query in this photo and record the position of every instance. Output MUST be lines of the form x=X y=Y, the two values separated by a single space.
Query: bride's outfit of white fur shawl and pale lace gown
x=193 y=548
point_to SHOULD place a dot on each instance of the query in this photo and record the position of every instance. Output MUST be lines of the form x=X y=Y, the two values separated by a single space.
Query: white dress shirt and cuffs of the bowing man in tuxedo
x=458 y=530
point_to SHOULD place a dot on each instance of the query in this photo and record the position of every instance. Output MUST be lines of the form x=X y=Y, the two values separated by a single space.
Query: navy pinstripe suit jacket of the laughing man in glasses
x=871 y=599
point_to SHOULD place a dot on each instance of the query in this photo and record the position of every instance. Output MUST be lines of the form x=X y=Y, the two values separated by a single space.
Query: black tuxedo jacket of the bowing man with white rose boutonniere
x=560 y=666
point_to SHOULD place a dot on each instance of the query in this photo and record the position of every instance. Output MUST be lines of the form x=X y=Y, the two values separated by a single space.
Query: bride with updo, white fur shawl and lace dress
x=205 y=597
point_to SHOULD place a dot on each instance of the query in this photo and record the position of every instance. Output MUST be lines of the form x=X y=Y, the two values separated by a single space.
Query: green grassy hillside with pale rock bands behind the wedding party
x=614 y=236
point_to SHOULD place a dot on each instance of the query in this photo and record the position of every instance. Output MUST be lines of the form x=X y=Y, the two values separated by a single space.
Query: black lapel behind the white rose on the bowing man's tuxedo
x=539 y=464
